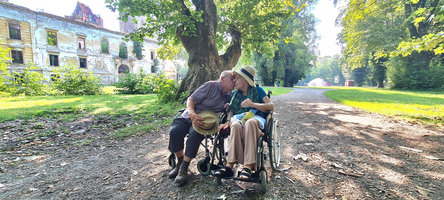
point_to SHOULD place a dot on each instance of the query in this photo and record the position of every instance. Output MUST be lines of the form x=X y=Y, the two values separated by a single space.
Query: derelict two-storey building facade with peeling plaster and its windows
x=50 y=41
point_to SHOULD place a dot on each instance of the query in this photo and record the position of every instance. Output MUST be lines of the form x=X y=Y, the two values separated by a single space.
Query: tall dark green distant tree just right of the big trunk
x=292 y=61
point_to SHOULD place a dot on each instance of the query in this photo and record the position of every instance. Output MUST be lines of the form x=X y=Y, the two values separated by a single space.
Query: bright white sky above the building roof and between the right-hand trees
x=324 y=11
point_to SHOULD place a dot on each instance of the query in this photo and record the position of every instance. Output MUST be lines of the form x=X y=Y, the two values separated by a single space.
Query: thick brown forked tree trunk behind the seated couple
x=204 y=62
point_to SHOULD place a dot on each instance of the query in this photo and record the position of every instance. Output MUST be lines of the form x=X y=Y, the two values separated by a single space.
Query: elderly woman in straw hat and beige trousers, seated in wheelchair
x=244 y=133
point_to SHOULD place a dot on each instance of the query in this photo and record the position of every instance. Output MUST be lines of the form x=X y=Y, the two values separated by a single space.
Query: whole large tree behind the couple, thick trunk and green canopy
x=206 y=27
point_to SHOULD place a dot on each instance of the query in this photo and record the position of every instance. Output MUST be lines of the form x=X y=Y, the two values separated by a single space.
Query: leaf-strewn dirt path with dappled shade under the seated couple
x=330 y=151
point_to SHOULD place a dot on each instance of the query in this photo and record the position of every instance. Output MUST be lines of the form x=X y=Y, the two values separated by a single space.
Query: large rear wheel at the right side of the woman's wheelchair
x=275 y=152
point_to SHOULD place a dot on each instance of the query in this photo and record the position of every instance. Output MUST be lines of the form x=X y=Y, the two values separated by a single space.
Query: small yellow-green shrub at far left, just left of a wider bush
x=31 y=82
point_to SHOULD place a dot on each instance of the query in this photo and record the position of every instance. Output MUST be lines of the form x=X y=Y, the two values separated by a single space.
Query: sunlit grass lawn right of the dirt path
x=419 y=106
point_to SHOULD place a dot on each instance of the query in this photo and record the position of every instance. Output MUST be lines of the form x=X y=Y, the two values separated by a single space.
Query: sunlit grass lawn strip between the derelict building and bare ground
x=62 y=106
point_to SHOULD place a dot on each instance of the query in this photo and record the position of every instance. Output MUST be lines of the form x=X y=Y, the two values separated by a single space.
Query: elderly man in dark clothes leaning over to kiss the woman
x=212 y=96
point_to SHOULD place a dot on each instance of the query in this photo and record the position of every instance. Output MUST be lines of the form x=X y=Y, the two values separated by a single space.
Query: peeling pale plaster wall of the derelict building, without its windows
x=36 y=48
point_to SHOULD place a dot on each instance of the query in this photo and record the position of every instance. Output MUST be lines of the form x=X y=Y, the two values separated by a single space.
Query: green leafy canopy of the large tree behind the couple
x=258 y=21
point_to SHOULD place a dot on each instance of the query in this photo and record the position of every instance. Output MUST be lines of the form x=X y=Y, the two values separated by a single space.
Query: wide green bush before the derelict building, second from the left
x=74 y=81
